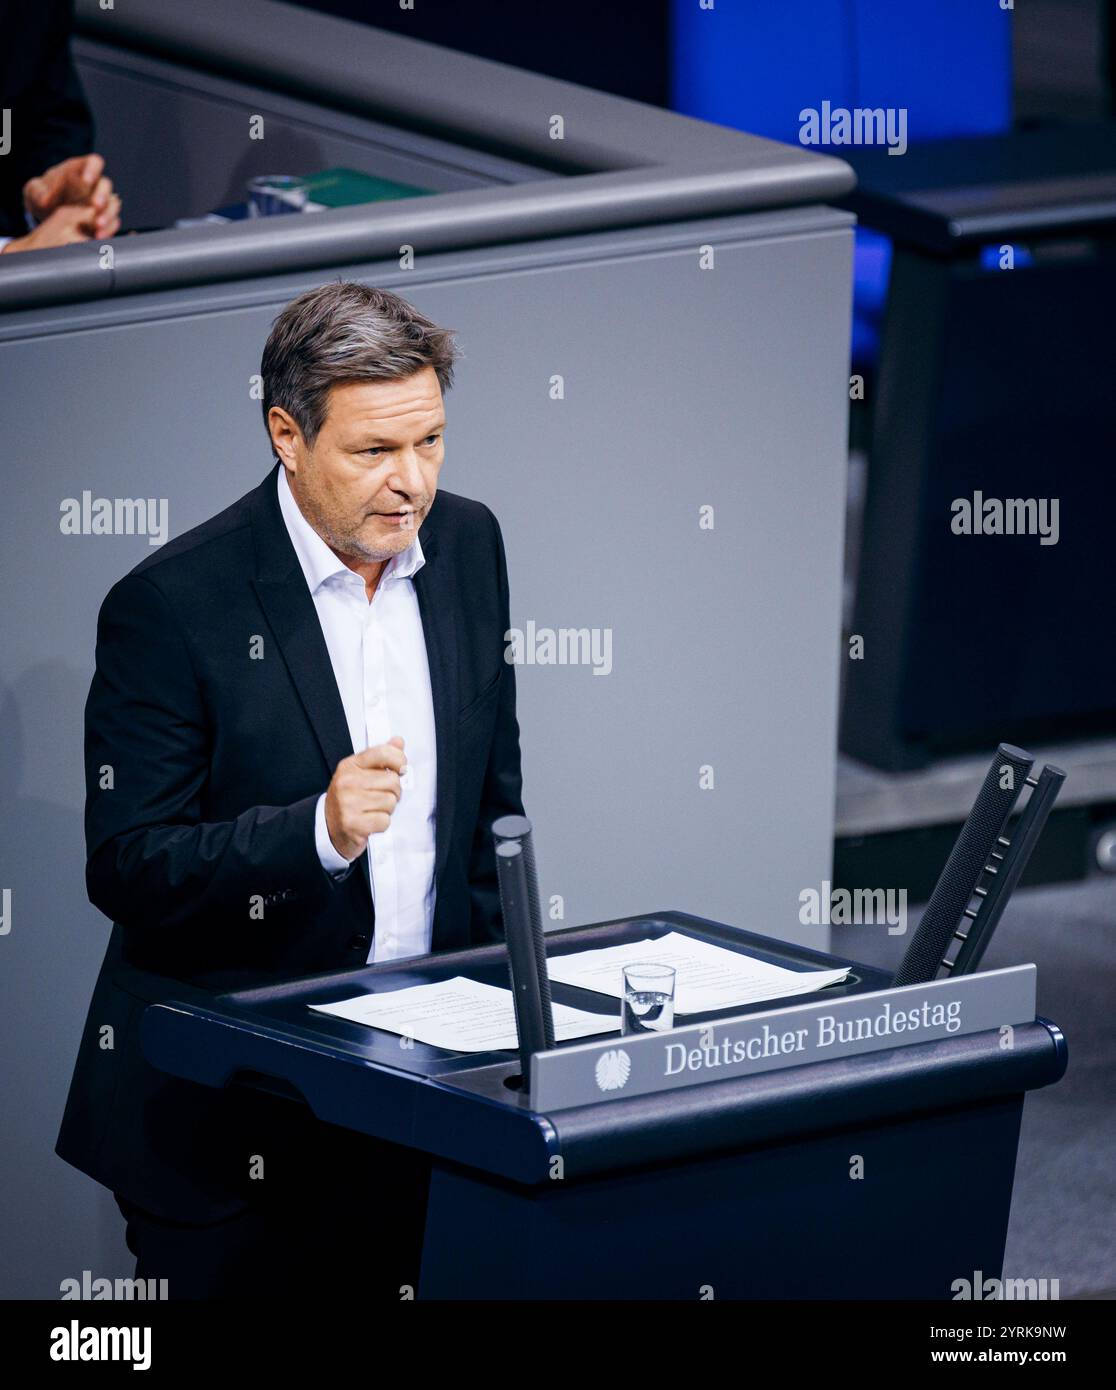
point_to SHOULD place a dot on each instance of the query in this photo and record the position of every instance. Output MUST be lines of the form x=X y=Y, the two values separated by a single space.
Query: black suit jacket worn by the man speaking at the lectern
x=213 y=725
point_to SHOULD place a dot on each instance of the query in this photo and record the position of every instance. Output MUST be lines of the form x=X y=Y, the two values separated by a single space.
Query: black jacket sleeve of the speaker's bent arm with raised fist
x=152 y=861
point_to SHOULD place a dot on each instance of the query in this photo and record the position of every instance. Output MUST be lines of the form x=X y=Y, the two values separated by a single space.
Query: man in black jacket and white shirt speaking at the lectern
x=299 y=733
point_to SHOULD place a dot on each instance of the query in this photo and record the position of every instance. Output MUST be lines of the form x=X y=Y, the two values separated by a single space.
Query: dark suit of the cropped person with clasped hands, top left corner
x=51 y=120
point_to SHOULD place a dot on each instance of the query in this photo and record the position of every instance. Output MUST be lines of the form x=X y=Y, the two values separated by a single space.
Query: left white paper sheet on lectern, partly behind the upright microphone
x=462 y=1015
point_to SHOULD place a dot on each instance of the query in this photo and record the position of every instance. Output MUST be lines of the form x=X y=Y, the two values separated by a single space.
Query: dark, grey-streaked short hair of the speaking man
x=347 y=333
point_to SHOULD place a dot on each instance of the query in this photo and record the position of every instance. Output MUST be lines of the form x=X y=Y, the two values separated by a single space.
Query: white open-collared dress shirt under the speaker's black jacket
x=379 y=654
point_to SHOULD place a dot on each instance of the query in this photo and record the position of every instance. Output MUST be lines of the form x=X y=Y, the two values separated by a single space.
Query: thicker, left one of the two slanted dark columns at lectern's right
x=965 y=865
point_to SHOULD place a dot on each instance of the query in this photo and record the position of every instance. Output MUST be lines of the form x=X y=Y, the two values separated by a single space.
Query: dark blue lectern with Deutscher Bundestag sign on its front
x=823 y=1179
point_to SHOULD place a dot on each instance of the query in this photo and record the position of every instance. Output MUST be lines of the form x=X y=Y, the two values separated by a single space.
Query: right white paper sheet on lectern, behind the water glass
x=708 y=976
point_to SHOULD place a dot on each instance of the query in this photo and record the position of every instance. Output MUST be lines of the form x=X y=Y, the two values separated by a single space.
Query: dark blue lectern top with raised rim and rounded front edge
x=470 y=1109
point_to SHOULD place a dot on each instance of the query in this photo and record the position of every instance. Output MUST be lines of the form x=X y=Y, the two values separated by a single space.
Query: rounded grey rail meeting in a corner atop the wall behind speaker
x=627 y=165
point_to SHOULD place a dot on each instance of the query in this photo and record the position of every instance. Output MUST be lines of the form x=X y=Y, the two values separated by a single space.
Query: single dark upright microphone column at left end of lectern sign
x=525 y=936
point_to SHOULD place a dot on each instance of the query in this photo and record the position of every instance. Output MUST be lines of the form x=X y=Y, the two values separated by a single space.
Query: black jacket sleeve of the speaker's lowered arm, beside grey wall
x=504 y=782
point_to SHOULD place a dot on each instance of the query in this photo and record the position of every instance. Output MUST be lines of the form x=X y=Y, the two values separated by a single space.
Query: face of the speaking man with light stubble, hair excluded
x=370 y=477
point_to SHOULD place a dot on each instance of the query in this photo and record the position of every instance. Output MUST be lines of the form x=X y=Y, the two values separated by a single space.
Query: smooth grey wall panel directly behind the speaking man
x=683 y=389
